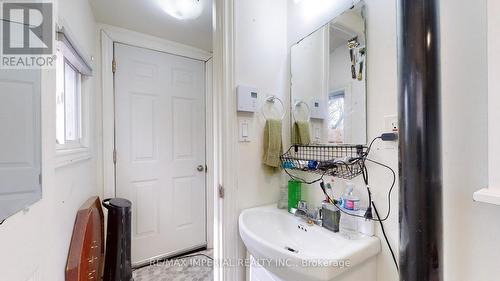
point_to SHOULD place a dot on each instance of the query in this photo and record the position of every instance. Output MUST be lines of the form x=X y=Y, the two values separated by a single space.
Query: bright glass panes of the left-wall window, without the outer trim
x=69 y=107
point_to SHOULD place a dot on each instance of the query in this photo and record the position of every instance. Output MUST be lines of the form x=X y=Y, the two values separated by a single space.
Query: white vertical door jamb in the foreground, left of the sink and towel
x=226 y=246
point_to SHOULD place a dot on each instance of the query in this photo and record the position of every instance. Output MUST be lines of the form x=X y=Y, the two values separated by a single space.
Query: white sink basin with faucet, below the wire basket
x=289 y=249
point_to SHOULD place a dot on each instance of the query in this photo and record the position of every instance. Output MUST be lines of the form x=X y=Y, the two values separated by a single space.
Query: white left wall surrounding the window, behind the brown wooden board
x=34 y=244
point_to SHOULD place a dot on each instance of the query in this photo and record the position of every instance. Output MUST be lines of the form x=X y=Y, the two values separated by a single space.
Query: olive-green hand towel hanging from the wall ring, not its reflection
x=273 y=145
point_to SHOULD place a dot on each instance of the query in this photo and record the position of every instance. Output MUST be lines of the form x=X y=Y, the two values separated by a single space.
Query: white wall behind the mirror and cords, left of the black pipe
x=381 y=101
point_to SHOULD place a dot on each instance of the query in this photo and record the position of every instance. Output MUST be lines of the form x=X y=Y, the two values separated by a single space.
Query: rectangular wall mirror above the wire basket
x=328 y=82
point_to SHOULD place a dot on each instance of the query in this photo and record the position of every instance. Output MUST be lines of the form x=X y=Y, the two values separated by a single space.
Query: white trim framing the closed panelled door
x=110 y=35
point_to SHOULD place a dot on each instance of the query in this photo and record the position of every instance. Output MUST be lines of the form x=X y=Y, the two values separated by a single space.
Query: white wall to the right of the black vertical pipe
x=471 y=229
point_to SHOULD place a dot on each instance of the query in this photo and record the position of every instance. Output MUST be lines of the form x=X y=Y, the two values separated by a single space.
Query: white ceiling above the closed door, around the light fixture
x=146 y=16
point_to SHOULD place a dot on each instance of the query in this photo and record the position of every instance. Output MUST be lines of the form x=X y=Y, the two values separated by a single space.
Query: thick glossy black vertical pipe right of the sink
x=420 y=142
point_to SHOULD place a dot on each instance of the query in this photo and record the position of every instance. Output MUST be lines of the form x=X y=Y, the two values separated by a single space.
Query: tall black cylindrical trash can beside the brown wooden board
x=118 y=261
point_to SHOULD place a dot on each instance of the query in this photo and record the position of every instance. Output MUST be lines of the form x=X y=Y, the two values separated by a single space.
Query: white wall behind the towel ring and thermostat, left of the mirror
x=260 y=61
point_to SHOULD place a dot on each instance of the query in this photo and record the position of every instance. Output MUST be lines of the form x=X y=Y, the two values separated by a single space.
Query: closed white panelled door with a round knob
x=160 y=144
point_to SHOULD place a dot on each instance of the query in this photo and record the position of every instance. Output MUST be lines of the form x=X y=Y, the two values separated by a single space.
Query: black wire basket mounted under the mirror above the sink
x=342 y=161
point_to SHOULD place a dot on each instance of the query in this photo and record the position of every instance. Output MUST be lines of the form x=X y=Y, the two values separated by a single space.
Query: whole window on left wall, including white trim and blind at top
x=72 y=126
